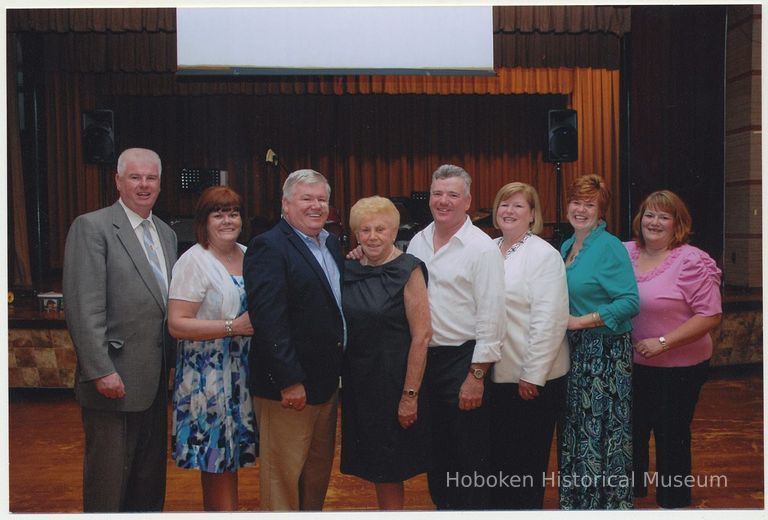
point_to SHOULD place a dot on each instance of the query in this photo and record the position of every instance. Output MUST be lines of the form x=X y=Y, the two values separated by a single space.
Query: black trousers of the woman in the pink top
x=664 y=401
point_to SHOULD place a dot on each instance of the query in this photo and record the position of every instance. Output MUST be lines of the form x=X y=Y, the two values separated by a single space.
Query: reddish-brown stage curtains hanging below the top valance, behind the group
x=365 y=144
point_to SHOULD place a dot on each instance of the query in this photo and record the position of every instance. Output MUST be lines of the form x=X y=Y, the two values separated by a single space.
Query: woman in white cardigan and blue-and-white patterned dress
x=214 y=429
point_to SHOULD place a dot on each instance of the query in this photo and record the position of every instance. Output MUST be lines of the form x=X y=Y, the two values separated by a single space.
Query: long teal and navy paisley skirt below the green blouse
x=595 y=432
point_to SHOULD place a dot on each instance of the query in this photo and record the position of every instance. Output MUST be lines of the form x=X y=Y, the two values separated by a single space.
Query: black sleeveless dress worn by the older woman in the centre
x=373 y=444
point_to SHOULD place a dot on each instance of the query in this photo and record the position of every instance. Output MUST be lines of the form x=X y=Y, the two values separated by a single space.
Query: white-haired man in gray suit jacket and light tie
x=117 y=266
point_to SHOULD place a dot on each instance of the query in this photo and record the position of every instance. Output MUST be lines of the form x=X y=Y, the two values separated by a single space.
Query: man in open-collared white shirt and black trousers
x=466 y=299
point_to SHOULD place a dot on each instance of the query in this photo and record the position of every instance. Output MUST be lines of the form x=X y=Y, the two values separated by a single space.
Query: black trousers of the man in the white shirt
x=459 y=438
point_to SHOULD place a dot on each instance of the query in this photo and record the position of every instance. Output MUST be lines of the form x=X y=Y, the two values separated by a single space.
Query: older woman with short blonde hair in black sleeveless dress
x=387 y=314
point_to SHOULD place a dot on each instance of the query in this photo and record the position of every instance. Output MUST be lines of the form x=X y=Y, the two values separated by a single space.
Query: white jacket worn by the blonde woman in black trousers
x=535 y=348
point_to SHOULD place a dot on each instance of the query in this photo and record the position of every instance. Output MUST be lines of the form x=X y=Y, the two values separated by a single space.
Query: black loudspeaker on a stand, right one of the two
x=562 y=146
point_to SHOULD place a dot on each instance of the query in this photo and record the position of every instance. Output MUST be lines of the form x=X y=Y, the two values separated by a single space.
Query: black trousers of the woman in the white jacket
x=521 y=438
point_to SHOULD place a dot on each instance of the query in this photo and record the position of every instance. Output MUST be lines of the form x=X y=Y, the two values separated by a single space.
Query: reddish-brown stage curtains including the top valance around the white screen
x=368 y=134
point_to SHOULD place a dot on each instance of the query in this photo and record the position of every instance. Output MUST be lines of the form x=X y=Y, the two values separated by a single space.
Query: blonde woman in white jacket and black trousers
x=527 y=386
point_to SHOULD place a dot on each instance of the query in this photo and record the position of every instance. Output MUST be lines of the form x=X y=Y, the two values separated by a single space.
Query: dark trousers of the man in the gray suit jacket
x=125 y=458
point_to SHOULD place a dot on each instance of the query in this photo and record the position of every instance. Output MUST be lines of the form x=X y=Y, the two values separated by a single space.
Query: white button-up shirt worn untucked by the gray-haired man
x=466 y=289
